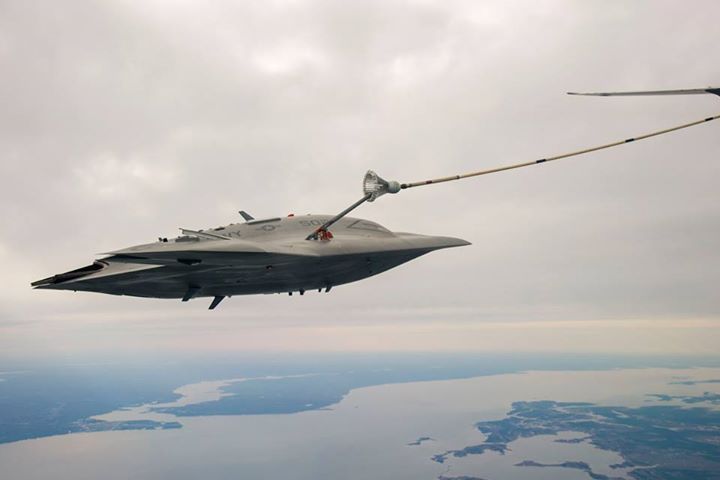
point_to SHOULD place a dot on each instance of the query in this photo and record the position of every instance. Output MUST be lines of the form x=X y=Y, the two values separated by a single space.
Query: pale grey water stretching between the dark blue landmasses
x=364 y=436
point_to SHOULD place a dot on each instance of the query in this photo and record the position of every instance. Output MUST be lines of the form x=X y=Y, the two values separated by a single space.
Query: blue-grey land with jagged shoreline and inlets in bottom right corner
x=658 y=442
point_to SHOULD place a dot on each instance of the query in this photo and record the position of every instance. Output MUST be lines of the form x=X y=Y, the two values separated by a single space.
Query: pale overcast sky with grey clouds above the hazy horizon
x=121 y=121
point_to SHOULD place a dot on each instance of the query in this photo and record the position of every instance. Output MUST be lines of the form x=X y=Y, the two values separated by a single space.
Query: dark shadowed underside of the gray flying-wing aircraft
x=276 y=275
